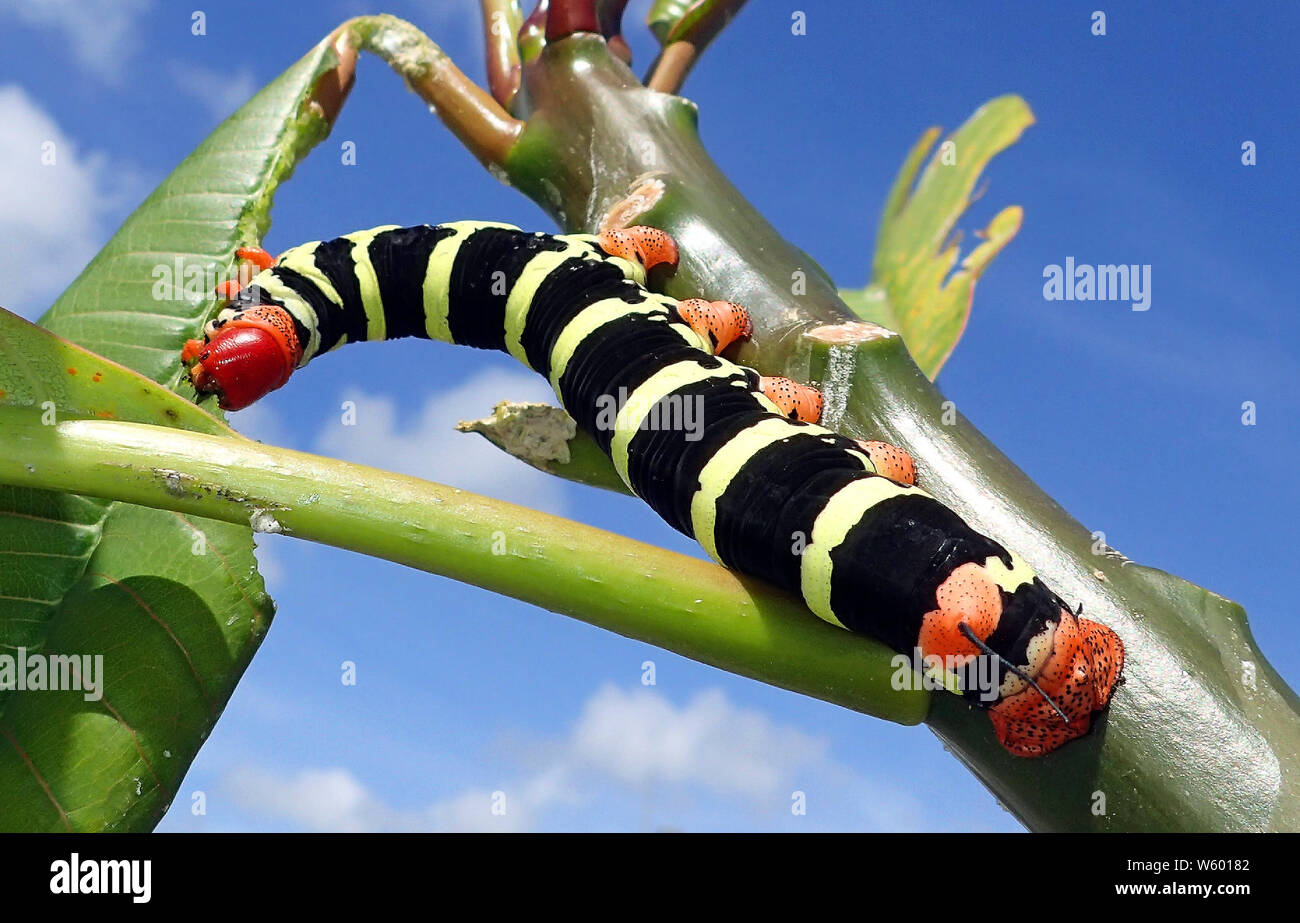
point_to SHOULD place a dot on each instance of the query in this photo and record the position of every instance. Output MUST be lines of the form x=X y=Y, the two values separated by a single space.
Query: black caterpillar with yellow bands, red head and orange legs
x=878 y=557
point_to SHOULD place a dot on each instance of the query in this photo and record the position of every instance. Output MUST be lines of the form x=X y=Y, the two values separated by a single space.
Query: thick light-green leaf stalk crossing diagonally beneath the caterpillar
x=682 y=604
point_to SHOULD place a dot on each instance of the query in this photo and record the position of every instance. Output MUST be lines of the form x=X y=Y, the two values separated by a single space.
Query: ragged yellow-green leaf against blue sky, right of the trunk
x=915 y=291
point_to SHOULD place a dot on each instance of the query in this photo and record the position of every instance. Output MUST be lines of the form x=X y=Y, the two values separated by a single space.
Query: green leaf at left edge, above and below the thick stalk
x=172 y=604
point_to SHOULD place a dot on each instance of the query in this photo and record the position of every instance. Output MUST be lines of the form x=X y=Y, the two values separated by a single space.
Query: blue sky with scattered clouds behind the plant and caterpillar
x=1133 y=421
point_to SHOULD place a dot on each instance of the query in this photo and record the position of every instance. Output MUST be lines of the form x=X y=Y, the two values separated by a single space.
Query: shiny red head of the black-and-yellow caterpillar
x=244 y=358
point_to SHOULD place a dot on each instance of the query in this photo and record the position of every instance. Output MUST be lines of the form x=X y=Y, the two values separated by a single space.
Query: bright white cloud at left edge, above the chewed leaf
x=53 y=205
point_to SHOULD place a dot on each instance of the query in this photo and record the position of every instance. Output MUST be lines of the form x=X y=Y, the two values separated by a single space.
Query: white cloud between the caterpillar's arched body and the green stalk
x=431 y=448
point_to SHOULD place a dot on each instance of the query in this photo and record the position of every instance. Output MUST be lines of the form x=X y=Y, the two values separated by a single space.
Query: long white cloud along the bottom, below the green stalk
x=705 y=759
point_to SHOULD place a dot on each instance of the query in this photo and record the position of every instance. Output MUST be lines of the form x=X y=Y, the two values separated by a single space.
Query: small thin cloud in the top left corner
x=101 y=34
